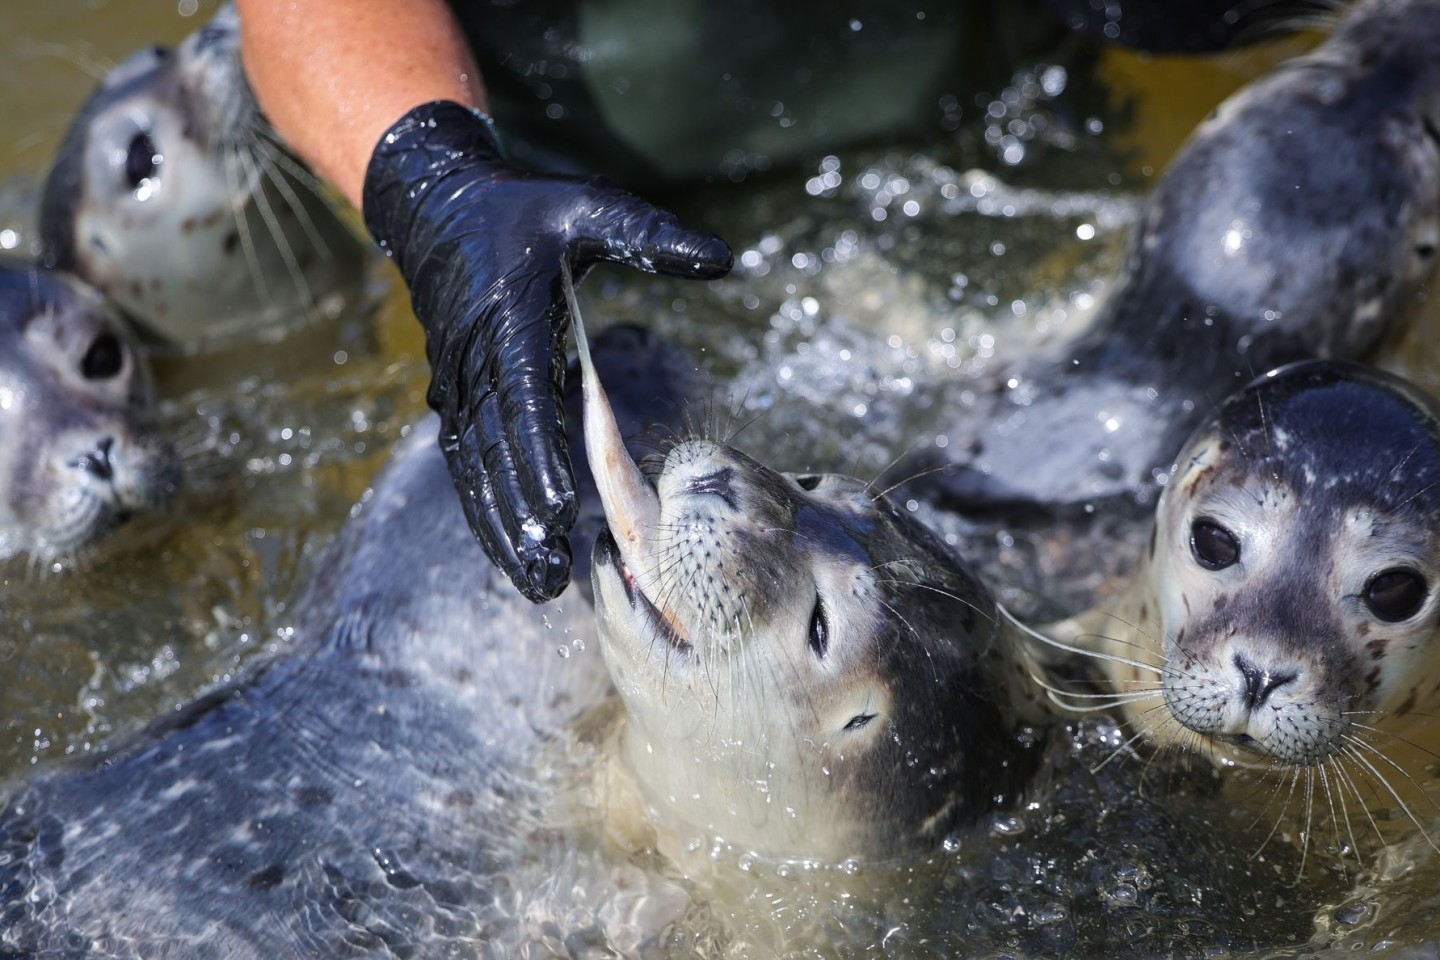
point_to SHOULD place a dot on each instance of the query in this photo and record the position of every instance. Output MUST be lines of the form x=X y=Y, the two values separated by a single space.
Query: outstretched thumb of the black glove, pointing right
x=626 y=230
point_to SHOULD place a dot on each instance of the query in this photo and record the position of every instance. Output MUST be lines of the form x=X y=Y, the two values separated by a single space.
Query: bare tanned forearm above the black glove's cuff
x=333 y=76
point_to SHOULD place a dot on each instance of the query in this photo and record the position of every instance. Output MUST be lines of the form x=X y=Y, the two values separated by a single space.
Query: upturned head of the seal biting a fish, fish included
x=806 y=670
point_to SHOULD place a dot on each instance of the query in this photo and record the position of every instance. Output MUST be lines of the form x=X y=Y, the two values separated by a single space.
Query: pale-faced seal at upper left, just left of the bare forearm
x=174 y=198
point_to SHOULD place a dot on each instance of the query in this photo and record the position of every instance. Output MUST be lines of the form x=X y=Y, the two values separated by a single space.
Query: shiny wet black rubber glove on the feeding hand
x=480 y=245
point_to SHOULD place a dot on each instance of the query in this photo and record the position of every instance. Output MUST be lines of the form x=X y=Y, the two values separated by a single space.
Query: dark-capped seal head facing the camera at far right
x=1288 y=601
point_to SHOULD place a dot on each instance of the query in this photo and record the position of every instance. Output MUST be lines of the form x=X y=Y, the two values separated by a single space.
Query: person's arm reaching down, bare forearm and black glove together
x=479 y=243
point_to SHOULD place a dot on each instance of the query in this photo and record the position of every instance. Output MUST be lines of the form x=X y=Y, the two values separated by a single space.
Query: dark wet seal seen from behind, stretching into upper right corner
x=1301 y=221
